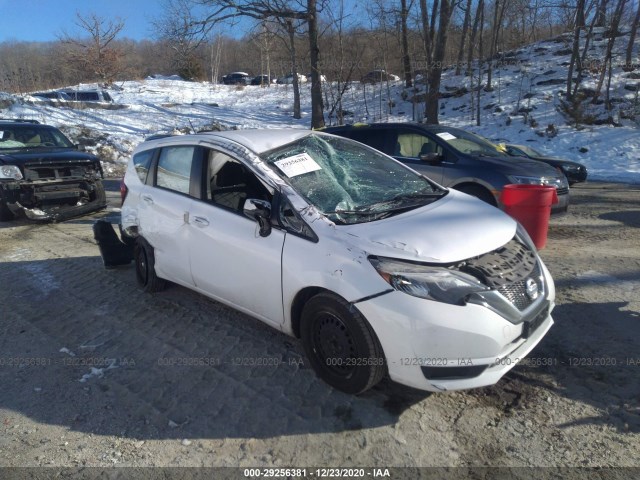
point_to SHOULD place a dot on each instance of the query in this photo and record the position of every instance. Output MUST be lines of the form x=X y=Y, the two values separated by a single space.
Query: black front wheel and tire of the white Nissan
x=341 y=345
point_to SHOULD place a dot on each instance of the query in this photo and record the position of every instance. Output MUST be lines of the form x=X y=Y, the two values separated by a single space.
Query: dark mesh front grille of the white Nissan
x=507 y=270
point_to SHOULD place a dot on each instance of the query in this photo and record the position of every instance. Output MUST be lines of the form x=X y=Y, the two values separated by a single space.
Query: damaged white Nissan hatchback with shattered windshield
x=376 y=268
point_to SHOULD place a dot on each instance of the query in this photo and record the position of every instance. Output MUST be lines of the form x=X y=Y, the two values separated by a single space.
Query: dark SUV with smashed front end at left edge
x=44 y=176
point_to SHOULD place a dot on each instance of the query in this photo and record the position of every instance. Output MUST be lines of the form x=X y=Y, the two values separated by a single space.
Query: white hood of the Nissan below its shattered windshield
x=451 y=229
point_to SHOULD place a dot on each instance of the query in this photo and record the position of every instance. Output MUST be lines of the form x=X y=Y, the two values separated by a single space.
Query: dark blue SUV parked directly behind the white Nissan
x=457 y=159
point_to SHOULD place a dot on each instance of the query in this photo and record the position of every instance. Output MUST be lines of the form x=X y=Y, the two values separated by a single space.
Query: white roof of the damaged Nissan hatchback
x=257 y=140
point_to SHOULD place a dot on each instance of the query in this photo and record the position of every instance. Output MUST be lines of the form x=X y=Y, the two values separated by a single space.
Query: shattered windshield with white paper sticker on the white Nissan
x=348 y=182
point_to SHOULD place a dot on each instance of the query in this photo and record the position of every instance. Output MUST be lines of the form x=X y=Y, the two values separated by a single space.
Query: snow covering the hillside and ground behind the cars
x=522 y=108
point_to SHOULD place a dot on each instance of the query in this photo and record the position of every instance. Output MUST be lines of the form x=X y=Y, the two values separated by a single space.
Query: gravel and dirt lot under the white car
x=96 y=373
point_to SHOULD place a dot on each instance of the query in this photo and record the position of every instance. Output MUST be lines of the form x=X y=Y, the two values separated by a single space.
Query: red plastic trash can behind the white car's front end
x=531 y=206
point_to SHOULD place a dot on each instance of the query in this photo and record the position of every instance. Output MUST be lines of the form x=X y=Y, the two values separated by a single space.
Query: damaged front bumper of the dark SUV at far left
x=54 y=201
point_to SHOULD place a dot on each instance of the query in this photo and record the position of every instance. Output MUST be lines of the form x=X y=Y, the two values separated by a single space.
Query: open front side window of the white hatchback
x=230 y=183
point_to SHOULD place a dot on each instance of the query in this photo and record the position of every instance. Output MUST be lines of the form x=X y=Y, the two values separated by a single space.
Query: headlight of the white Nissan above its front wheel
x=425 y=281
